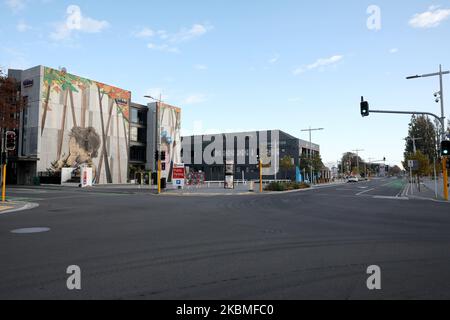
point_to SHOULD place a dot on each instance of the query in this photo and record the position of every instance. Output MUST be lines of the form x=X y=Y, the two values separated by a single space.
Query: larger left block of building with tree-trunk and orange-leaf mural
x=70 y=122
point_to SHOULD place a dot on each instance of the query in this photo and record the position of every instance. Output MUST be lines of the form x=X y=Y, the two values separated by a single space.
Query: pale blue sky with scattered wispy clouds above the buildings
x=250 y=65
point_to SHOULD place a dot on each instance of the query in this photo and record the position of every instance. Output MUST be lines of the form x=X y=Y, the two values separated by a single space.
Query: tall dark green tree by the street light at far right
x=424 y=131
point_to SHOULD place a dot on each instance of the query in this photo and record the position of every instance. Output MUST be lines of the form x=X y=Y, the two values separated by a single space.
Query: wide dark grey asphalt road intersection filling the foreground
x=314 y=244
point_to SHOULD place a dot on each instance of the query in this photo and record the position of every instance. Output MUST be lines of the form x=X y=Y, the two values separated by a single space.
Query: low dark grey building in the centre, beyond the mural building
x=199 y=154
